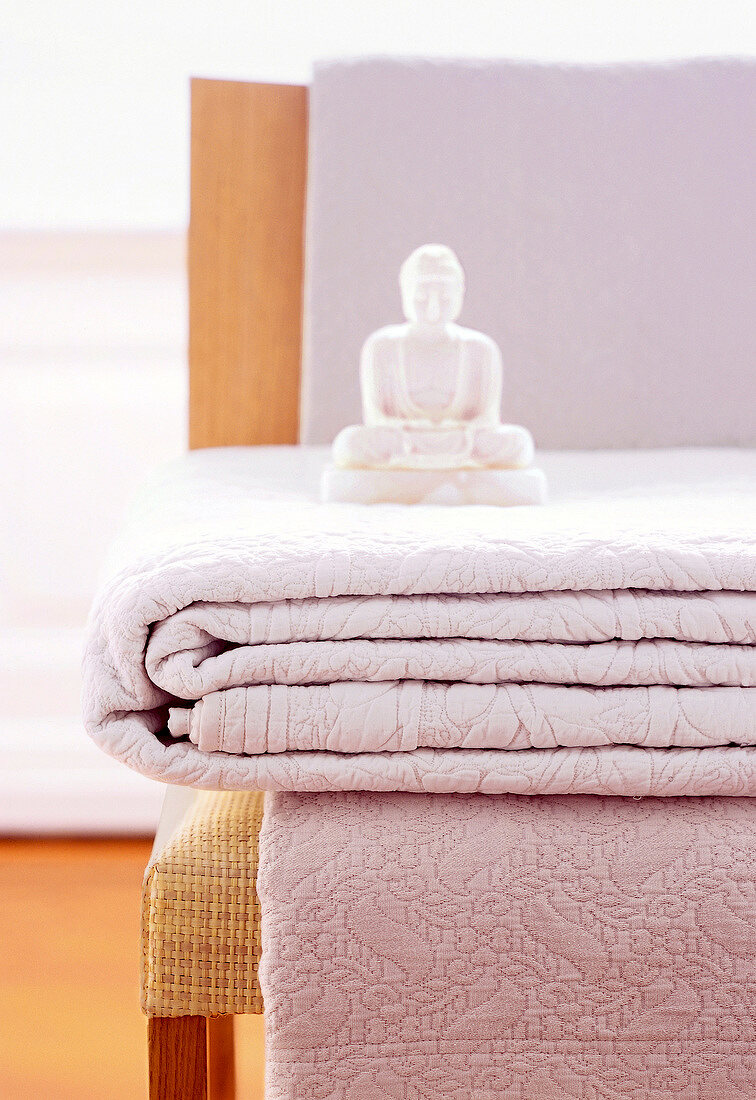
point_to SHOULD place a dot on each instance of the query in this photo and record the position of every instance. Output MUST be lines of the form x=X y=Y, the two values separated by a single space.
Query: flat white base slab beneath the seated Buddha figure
x=501 y=488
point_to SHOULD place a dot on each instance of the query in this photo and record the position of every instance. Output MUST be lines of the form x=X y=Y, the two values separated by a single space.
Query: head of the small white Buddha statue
x=433 y=285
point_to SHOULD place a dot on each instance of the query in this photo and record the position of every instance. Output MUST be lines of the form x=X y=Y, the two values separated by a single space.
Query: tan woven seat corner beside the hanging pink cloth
x=201 y=918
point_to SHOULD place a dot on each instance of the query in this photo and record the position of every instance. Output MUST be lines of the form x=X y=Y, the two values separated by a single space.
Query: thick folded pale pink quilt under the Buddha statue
x=247 y=636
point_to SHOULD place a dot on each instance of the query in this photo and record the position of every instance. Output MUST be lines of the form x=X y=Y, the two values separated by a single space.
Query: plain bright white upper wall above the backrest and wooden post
x=94 y=112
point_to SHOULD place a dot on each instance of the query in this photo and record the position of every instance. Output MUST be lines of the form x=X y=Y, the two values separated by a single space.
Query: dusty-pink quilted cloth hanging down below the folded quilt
x=509 y=949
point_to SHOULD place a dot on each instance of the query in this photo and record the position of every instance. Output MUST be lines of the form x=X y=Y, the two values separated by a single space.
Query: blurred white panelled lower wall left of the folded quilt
x=93 y=379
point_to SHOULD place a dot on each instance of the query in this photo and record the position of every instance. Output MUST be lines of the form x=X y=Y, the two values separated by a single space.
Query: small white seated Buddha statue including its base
x=432 y=393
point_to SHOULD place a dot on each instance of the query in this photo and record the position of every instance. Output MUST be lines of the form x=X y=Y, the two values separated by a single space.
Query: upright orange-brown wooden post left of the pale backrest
x=249 y=171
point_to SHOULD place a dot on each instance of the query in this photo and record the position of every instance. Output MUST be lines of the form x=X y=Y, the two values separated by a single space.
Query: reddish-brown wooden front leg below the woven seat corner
x=178 y=1048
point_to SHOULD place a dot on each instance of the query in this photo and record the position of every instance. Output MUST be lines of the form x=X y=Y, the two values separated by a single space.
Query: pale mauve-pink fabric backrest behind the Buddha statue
x=605 y=218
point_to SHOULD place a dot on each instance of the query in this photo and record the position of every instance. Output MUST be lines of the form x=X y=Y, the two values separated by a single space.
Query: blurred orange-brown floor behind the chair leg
x=71 y=1027
